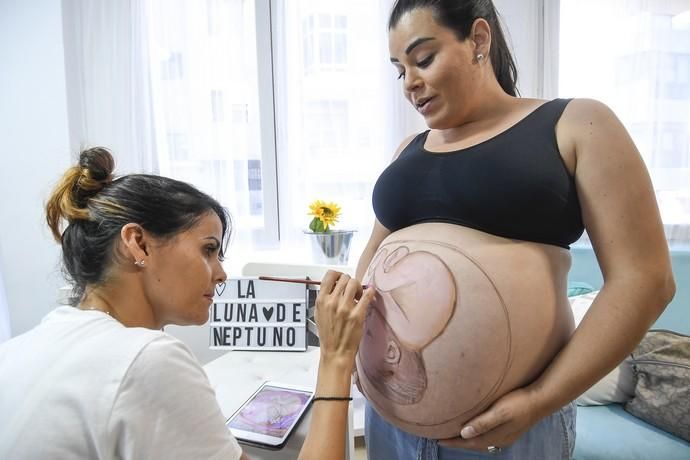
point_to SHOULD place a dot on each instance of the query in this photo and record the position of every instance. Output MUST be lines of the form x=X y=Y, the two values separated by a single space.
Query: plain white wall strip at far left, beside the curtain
x=34 y=150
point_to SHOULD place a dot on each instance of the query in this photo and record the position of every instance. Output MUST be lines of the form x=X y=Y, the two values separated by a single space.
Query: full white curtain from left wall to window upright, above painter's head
x=171 y=87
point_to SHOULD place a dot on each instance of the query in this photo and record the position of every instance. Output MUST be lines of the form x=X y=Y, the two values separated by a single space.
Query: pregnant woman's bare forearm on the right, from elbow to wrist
x=628 y=307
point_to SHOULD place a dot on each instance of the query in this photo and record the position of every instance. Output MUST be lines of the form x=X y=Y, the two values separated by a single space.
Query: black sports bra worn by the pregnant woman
x=514 y=185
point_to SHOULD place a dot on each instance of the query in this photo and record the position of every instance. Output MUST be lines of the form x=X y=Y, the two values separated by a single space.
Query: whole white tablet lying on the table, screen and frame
x=270 y=415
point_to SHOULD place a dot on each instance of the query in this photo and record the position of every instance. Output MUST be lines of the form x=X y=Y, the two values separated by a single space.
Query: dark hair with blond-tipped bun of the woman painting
x=96 y=207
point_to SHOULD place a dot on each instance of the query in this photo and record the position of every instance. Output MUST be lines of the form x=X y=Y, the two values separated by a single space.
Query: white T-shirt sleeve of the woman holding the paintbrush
x=165 y=407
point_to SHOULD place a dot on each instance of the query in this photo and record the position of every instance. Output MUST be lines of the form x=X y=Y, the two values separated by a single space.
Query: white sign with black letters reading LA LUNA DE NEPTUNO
x=253 y=314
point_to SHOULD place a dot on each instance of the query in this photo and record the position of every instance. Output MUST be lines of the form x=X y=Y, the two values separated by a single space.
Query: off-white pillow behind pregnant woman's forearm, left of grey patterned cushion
x=618 y=386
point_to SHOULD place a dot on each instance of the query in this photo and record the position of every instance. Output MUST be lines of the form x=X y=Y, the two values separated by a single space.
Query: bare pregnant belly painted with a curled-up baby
x=438 y=346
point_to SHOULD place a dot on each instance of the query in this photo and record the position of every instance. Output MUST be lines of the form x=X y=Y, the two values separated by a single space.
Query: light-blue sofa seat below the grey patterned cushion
x=610 y=433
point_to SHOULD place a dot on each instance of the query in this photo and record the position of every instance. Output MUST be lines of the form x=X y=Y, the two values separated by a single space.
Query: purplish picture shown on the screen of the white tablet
x=272 y=411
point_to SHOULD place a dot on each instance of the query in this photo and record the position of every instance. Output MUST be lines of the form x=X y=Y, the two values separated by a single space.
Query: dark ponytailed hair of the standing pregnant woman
x=459 y=15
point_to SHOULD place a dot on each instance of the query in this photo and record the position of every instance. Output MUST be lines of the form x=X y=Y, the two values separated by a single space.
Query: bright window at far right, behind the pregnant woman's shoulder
x=639 y=66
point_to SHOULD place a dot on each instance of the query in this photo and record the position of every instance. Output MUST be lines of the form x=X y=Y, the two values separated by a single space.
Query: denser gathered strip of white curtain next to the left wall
x=108 y=83
